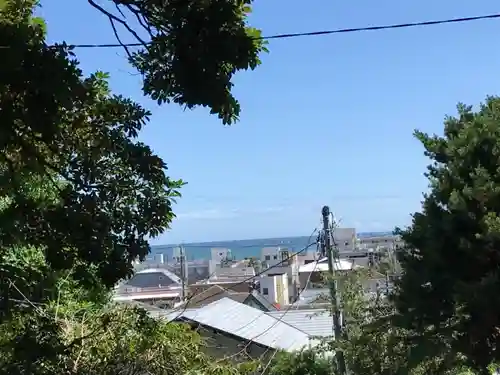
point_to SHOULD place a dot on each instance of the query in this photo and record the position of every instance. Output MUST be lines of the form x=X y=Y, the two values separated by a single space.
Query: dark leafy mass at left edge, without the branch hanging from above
x=70 y=132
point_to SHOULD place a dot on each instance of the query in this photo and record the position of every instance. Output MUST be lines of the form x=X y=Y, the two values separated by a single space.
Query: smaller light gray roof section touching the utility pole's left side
x=315 y=322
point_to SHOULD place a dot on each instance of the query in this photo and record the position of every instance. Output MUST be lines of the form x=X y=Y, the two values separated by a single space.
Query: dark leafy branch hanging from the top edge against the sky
x=192 y=50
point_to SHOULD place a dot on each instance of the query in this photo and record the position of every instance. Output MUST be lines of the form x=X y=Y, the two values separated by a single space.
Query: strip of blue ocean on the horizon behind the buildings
x=241 y=249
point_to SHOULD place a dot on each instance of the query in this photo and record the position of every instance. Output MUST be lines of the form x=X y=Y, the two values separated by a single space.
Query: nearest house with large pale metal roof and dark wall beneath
x=239 y=331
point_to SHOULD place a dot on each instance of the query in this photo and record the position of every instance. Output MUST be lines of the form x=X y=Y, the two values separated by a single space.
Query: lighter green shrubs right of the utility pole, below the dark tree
x=373 y=345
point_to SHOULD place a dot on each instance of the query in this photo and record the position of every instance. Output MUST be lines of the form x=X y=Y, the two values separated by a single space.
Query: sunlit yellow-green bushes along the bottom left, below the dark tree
x=110 y=341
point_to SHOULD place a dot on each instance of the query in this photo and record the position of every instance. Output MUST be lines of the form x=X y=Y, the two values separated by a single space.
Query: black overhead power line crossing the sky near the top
x=327 y=32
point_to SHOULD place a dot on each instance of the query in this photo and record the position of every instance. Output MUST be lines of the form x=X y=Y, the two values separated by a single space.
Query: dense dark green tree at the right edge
x=448 y=293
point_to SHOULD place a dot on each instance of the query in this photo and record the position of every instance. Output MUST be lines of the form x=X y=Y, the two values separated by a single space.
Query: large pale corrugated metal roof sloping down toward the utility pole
x=248 y=323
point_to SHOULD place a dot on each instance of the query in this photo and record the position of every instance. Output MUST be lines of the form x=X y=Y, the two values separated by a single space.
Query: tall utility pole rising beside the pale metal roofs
x=327 y=249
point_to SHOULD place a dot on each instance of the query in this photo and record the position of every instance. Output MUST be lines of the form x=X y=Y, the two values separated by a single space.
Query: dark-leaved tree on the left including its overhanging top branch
x=72 y=131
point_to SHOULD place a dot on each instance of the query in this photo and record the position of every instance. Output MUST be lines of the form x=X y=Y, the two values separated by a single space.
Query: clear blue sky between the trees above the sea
x=325 y=120
